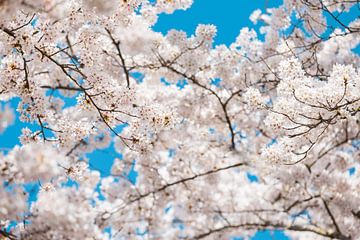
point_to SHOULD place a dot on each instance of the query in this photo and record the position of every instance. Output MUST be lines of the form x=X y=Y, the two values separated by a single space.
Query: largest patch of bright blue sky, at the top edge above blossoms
x=228 y=15
